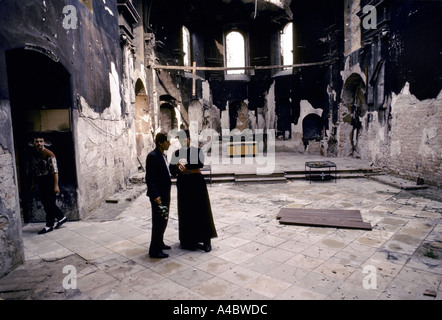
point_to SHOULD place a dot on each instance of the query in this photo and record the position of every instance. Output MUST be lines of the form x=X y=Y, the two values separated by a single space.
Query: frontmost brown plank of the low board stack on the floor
x=326 y=222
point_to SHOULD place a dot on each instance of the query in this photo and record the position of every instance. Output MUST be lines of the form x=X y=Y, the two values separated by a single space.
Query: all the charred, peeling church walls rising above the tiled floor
x=327 y=78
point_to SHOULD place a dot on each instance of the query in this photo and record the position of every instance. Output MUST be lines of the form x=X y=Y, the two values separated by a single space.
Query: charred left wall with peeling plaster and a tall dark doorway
x=48 y=61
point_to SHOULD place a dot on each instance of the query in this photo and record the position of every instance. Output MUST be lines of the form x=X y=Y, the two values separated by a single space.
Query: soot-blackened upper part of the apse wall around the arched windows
x=318 y=39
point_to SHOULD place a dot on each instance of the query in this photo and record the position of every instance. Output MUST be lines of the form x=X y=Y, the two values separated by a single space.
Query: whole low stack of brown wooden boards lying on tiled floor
x=349 y=219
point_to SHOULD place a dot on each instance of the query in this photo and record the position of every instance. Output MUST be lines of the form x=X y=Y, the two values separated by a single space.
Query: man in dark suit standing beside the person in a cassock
x=158 y=190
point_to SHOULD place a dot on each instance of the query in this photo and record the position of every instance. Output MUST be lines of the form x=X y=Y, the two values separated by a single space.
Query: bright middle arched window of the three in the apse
x=235 y=52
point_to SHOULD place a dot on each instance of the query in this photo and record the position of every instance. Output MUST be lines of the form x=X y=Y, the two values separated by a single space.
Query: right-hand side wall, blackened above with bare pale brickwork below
x=390 y=111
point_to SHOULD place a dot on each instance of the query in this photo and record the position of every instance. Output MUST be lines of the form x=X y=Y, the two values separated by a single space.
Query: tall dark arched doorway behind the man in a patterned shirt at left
x=41 y=101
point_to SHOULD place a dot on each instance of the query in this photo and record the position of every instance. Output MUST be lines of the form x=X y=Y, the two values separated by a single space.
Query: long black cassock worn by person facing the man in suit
x=195 y=219
